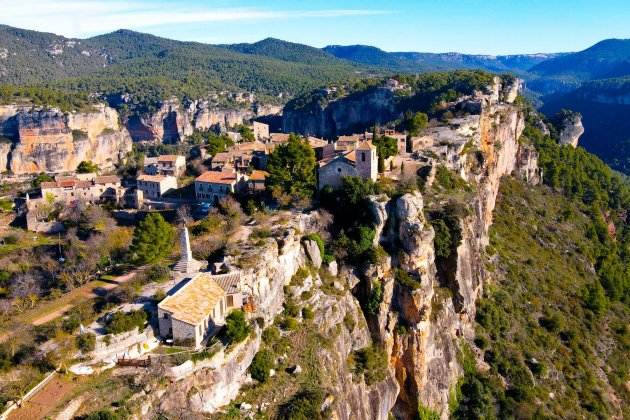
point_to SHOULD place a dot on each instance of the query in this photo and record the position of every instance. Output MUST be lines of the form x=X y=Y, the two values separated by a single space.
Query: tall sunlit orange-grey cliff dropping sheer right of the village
x=441 y=312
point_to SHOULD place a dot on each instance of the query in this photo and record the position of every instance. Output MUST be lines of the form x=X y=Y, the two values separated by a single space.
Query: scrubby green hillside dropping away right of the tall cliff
x=536 y=311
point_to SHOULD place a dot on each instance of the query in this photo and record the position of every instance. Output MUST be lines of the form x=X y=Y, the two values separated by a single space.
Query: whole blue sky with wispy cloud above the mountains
x=466 y=26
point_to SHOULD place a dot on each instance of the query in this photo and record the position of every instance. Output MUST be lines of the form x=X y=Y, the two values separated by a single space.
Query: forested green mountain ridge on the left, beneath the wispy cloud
x=152 y=68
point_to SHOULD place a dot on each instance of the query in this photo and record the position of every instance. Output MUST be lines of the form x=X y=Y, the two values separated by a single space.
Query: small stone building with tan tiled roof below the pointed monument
x=197 y=309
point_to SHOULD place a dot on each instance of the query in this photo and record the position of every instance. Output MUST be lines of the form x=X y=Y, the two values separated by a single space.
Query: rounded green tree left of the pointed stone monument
x=152 y=239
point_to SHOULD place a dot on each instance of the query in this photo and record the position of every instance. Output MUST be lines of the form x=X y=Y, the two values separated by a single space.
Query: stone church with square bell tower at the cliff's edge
x=361 y=162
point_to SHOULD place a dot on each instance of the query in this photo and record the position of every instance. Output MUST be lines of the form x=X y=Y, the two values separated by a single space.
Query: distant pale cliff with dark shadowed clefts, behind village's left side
x=174 y=120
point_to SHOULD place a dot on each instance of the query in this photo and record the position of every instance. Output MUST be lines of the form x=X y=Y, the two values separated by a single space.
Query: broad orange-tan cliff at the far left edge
x=52 y=141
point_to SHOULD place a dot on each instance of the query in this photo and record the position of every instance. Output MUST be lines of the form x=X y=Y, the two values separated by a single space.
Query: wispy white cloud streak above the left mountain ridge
x=75 y=18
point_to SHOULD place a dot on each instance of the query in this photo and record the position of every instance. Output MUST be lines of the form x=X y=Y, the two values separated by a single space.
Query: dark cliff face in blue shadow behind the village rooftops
x=344 y=116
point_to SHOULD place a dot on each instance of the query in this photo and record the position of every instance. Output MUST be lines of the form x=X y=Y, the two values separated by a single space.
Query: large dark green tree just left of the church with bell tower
x=291 y=168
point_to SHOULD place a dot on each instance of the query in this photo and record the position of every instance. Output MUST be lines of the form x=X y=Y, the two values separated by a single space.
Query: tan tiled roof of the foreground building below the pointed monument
x=195 y=300
